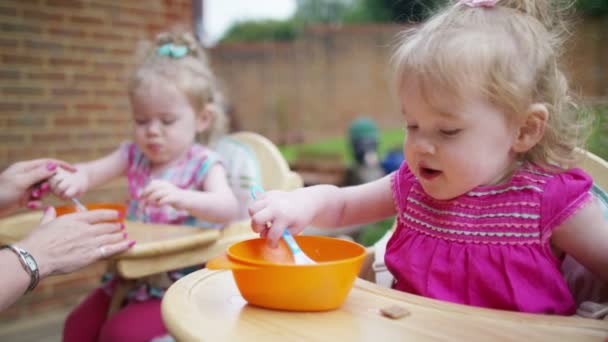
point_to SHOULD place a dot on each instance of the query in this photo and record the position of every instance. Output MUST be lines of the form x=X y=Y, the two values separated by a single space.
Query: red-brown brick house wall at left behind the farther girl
x=62 y=94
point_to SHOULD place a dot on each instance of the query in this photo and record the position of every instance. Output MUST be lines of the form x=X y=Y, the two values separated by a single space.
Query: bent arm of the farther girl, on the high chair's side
x=216 y=203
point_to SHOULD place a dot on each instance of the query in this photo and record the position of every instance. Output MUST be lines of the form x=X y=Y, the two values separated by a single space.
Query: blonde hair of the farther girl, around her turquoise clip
x=191 y=74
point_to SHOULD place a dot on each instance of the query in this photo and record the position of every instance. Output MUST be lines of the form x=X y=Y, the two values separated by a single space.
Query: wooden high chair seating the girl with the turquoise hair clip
x=162 y=248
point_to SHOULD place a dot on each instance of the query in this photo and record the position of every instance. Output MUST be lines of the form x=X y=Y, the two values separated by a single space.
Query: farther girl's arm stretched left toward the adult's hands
x=89 y=175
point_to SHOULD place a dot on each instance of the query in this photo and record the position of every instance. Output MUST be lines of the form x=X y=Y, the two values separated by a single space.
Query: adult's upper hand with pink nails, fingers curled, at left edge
x=23 y=183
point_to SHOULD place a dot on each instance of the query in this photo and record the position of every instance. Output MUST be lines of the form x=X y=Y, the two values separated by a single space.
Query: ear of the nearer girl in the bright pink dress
x=532 y=128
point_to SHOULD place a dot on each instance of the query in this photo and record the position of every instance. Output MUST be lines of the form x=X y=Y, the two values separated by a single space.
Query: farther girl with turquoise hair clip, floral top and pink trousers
x=171 y=178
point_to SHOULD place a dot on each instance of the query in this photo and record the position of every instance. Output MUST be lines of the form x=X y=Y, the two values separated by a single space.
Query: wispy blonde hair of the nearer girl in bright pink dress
x=510 y=54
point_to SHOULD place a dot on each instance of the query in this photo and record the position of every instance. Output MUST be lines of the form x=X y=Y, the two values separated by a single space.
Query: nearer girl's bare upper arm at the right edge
x=585 y=237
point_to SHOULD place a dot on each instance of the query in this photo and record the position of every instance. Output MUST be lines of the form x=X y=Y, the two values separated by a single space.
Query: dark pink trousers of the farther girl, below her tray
x=138 y=321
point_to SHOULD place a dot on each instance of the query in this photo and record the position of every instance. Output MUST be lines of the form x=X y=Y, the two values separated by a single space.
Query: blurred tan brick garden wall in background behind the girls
x=315 y=86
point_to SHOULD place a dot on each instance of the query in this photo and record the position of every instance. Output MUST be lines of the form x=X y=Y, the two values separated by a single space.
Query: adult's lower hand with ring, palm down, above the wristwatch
x=69 y=242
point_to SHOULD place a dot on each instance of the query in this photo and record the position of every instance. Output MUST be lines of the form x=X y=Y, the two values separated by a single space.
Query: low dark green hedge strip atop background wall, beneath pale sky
x=251 y=31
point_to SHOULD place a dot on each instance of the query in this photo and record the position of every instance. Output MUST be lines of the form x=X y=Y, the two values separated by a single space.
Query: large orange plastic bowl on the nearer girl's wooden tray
x=286 y=286
